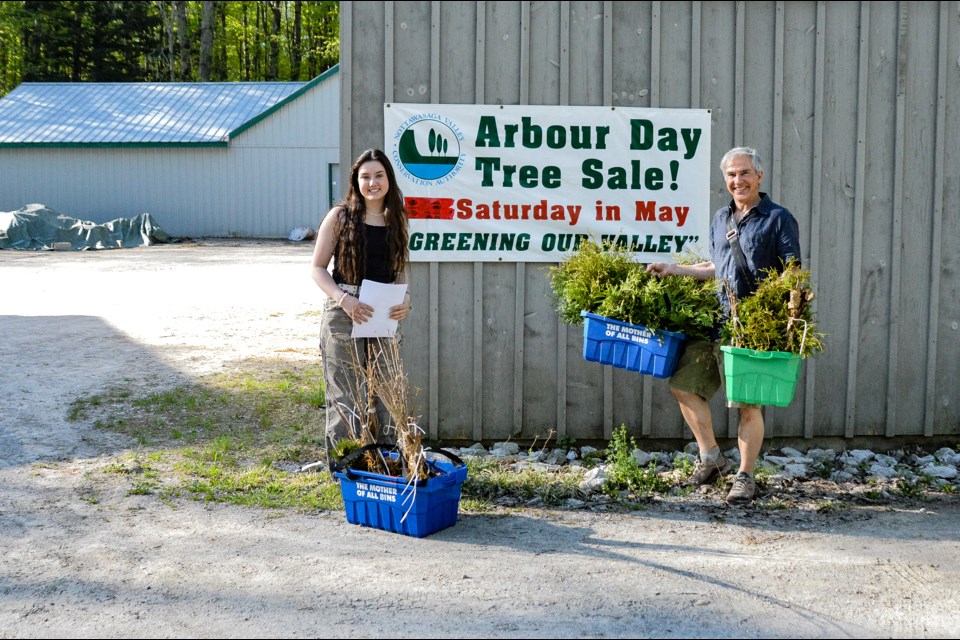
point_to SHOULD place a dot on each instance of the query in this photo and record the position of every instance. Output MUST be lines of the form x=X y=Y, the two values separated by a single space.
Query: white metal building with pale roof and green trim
x=251 y=159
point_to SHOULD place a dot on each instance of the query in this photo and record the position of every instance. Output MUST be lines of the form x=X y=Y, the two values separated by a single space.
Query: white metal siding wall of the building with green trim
x=272 y=177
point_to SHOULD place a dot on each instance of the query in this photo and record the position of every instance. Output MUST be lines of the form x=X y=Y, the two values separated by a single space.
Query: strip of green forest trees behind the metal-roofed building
x=166 y=40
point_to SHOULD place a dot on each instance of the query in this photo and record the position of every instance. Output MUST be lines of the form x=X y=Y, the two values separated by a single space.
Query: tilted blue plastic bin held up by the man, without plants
x=630 y=346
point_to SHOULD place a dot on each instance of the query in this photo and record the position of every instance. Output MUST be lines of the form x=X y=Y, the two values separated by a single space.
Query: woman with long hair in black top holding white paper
x=366 y=238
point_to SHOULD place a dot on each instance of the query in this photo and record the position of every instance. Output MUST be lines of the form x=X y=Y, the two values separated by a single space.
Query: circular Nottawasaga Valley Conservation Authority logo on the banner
x=428 y=149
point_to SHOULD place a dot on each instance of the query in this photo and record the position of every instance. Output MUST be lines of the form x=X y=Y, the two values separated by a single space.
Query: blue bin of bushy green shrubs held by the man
x=632 y=319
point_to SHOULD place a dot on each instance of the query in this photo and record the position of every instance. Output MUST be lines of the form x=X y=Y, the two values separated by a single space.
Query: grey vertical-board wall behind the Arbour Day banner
x=855 y=107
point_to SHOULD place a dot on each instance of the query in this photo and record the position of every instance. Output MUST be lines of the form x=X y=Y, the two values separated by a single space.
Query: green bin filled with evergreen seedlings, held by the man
x=767 y=336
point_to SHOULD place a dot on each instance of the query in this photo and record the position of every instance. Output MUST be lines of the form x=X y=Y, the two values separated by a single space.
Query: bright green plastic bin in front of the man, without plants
x=760 y=377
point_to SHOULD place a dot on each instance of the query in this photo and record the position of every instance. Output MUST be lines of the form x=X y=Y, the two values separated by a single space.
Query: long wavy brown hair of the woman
x=351 y=246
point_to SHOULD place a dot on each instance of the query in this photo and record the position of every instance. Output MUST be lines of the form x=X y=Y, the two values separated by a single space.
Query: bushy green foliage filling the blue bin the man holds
x=605 y=280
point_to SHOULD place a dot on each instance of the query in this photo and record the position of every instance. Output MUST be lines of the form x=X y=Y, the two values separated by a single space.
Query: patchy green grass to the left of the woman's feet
x=237 y=437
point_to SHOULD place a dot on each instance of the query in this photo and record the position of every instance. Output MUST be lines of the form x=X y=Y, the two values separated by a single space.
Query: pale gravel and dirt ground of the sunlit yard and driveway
x=135 y=566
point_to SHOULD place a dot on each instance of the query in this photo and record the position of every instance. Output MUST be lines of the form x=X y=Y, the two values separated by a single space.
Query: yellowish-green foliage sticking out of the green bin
x=776 y=316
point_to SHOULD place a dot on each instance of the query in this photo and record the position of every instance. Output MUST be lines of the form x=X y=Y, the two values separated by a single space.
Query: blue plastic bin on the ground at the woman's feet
x=389 y=503
